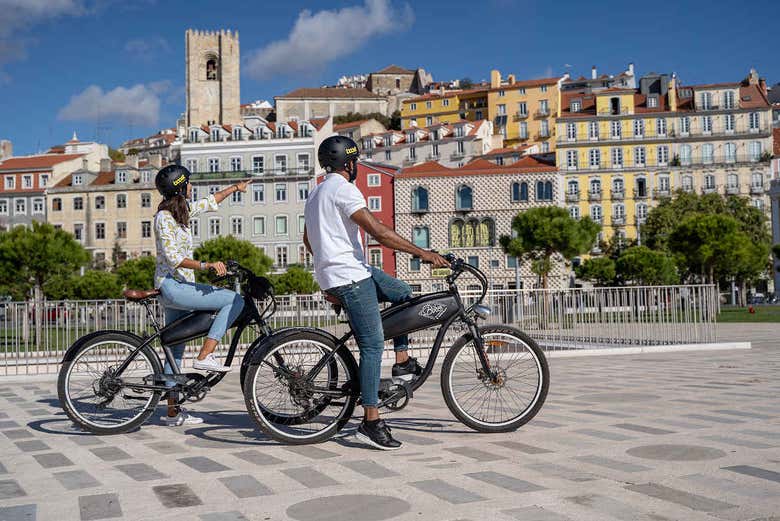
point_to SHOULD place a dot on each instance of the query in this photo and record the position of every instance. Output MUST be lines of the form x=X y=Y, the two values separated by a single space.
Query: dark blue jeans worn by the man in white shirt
x=360 y=301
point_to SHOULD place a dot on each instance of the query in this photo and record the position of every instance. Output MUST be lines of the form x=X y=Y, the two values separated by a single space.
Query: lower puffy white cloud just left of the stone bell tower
x=136 y=105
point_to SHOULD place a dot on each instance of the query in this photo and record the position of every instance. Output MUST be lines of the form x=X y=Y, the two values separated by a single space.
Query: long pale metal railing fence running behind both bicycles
x=557 y=319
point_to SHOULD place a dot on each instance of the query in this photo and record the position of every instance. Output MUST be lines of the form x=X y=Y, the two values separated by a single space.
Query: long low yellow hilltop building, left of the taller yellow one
x=444 y=107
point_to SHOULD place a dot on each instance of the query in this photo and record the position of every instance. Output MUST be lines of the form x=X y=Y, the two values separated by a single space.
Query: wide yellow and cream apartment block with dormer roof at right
x=621 y=150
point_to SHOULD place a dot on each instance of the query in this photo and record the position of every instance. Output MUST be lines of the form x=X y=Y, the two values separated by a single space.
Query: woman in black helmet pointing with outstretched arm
x=175 y=278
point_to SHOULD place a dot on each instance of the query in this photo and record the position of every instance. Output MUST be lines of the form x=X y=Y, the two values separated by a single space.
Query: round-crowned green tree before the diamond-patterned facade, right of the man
x=543 y=234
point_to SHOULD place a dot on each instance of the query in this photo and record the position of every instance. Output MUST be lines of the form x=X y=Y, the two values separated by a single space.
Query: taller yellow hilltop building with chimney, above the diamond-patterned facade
x=524 y=111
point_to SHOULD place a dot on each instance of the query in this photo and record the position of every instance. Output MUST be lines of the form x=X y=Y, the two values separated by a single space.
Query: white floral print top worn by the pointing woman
x=174 y=243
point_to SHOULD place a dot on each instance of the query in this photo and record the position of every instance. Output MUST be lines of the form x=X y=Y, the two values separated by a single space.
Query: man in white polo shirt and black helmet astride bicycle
x=334 y=215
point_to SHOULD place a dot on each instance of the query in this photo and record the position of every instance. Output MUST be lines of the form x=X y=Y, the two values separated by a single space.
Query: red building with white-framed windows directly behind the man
x=375 y=181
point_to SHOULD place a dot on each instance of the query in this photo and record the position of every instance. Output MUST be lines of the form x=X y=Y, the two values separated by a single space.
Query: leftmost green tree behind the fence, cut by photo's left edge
x=30 y=257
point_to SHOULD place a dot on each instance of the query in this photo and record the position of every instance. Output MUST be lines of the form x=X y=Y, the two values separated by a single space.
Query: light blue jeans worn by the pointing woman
x=179 y=298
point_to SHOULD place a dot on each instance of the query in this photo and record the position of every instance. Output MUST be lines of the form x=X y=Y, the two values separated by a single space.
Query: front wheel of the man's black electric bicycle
x=511 y=399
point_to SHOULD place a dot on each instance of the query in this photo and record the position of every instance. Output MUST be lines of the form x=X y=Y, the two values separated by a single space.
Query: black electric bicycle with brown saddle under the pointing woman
x=111 y=381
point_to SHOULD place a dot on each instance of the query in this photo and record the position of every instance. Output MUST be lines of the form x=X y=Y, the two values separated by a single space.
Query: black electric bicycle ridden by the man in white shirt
x=303 y=384
